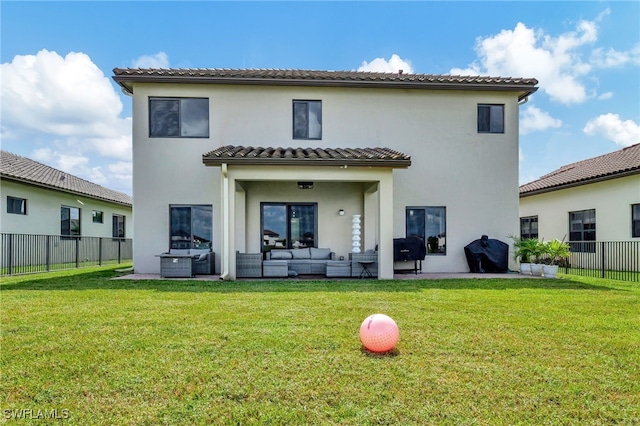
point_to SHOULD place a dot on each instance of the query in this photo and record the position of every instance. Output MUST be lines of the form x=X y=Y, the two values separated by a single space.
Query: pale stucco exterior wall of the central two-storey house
x=475 y=176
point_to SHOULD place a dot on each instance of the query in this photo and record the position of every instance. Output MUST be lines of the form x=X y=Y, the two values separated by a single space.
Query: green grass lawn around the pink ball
x=502 y=351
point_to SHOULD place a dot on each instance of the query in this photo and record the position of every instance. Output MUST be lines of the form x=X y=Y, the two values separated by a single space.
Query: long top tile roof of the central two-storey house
x=126 y=76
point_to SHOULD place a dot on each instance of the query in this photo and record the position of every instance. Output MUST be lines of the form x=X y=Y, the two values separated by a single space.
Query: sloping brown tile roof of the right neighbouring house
x=609 y=166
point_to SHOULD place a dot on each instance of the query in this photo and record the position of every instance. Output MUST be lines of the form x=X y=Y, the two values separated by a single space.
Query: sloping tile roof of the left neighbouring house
x=22 y=169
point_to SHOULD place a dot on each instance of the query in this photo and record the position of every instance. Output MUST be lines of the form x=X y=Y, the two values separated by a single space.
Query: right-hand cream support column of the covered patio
x=385 y=226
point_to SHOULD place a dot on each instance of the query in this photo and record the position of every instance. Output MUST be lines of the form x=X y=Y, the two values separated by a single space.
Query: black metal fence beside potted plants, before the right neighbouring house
x=617 y=260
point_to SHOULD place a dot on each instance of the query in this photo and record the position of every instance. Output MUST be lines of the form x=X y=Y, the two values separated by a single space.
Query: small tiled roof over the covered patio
x=381 y=157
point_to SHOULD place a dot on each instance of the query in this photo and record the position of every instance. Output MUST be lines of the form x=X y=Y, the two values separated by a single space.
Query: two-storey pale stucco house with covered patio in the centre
x=428 y=155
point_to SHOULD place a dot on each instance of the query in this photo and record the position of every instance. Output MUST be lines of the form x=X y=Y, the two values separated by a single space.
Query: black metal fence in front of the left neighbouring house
x=28 y=253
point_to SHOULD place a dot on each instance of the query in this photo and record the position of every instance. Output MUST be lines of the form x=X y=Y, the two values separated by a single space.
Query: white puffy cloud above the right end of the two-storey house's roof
x=557 y=62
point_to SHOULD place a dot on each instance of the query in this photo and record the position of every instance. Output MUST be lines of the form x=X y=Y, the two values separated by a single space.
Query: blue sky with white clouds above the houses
x=61 y=107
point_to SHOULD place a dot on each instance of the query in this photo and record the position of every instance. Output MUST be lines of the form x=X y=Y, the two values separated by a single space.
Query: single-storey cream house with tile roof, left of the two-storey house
x=38 y=199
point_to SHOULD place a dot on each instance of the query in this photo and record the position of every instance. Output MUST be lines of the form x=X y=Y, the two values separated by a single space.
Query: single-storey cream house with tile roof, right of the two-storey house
x=592 y=200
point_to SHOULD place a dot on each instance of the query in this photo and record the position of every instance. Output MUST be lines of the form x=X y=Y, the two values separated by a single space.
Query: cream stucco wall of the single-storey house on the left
x=43 y=212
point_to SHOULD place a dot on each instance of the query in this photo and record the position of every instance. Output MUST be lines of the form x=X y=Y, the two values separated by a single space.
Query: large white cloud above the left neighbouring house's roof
x=67 y=102
